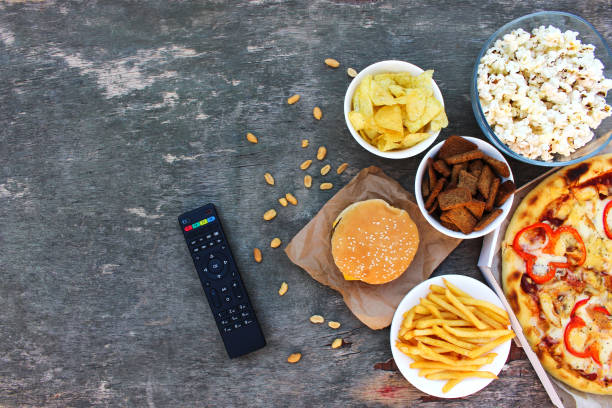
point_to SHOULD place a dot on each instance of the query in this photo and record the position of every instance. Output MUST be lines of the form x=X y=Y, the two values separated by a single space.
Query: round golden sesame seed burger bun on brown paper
x=373 y=242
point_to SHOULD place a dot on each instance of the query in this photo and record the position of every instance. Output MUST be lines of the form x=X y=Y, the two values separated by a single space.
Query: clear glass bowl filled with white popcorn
x=540 y=89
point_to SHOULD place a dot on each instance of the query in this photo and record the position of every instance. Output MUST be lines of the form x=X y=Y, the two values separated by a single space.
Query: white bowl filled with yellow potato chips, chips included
x=394 y=109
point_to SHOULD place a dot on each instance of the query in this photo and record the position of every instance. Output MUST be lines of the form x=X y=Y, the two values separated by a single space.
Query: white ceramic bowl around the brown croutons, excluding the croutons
x=422 y=170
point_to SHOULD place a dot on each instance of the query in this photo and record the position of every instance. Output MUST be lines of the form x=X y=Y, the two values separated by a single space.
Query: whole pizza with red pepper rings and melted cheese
x=557 y=273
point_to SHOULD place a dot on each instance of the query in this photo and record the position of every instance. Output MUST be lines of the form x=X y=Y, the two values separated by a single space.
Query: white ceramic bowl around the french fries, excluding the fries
x=468 y=386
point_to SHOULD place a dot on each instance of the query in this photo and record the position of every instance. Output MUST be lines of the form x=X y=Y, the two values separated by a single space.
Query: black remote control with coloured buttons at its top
x=221 y=281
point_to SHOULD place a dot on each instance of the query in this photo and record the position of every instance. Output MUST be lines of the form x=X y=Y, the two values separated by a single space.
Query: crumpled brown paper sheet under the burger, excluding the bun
x=374 y=305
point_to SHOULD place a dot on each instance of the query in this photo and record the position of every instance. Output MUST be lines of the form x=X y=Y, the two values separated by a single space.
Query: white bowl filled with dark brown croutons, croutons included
x=464 y=187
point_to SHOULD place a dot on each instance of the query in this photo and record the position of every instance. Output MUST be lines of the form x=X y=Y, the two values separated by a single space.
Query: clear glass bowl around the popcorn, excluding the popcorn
x=587 y=35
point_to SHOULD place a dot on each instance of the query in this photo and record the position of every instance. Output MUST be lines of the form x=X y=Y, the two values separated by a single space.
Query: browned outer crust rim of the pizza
x=524 y=305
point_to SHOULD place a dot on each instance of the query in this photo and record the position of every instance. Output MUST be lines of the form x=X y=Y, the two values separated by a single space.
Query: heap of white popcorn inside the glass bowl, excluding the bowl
x=543 y=92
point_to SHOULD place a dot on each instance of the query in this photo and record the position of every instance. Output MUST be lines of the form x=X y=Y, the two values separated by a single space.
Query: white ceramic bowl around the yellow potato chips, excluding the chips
x=380 y=68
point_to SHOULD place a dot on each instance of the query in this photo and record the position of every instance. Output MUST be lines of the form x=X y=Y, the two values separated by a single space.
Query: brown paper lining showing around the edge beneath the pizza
x=571 y=397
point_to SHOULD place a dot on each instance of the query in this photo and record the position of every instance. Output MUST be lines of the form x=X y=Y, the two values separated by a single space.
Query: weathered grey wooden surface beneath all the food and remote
x=117 y=116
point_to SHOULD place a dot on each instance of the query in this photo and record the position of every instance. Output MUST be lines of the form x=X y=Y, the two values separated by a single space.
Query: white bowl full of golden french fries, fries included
x=450 y=336
